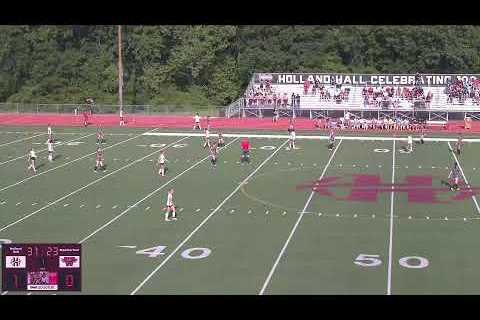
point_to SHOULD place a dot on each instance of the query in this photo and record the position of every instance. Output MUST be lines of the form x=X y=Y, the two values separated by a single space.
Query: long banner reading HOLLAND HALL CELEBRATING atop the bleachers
x=362 y=79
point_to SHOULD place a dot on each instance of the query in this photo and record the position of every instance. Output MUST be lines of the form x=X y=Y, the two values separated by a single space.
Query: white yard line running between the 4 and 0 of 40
x=205 y=220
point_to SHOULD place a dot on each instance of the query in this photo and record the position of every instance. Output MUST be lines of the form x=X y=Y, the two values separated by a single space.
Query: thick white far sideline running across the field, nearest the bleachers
x=322 y=137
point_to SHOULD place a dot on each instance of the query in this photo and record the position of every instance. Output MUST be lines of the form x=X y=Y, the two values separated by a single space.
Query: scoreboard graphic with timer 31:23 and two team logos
x=41 y=267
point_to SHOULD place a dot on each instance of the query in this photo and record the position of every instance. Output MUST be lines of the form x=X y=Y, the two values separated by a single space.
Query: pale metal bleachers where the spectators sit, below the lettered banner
x=313 y=107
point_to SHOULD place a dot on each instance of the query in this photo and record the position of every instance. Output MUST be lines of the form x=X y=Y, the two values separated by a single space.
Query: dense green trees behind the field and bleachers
x=211 y=65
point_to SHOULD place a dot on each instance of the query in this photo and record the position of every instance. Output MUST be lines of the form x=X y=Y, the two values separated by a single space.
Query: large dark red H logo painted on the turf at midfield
x=367 y=188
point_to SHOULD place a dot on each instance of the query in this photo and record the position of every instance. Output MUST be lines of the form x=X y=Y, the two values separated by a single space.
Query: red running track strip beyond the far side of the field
x=186 y=122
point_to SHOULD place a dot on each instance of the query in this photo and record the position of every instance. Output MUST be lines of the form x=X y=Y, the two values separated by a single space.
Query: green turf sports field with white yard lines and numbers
x=247 y=229
